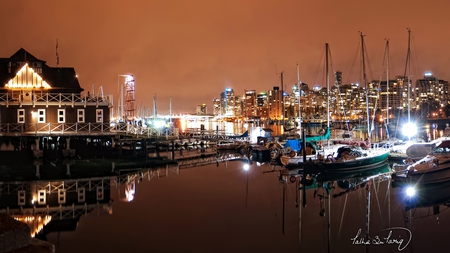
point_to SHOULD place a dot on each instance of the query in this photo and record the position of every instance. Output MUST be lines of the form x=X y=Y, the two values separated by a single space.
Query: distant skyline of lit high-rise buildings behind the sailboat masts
x=347 y=101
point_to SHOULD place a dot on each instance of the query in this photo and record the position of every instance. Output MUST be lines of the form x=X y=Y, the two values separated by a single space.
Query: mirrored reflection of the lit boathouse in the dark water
x=57 y=205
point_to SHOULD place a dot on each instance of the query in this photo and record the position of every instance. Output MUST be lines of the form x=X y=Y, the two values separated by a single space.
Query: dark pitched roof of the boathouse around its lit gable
x=62 y=80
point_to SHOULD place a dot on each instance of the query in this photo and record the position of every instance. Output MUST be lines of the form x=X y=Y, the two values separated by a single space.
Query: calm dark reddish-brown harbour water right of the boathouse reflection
x=222 y=208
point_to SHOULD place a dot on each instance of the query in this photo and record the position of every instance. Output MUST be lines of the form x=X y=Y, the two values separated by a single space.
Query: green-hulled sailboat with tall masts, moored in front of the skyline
x=344 y=157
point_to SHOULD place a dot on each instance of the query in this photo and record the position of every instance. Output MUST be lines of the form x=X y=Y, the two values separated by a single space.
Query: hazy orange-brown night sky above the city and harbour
x=191 y=50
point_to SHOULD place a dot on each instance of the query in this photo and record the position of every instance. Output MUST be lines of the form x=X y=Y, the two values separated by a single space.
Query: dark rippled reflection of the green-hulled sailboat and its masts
x=333 y=185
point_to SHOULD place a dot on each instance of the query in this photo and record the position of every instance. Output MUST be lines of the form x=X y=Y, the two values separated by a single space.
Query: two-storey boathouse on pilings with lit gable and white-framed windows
x=42 y=107
